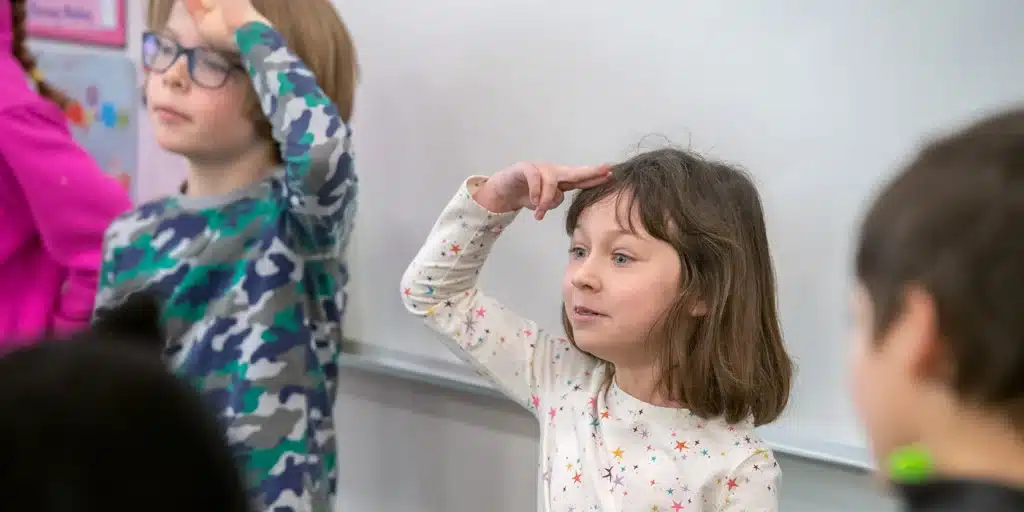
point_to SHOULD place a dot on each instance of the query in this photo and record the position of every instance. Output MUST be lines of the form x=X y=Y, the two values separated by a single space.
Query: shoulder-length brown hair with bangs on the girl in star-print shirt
x=732 y=361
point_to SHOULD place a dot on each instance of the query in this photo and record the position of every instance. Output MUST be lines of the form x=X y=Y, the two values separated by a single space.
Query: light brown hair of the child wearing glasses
x=315 y=32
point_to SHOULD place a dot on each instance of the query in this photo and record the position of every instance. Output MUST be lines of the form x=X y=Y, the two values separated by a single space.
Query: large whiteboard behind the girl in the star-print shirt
x=819 y=101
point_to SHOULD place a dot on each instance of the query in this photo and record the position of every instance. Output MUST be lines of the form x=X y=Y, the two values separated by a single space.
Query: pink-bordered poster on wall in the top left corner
x=84 y=22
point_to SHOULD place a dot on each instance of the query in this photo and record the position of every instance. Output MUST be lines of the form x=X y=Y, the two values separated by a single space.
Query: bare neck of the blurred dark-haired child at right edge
x=972 y=445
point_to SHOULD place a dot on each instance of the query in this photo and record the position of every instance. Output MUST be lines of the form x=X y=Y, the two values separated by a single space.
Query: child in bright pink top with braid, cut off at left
x=55 y=202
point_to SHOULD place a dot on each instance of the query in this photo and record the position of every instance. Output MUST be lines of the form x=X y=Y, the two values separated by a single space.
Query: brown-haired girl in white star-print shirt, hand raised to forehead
x=673 y=353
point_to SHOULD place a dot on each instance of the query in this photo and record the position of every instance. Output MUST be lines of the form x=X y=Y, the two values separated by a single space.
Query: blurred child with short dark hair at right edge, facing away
x=941 y=321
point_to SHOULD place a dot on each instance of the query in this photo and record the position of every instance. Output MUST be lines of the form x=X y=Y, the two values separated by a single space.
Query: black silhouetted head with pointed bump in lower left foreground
x=99 y=423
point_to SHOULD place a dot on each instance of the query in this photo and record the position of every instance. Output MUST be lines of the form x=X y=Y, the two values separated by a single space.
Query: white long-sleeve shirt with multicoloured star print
x=602 y=450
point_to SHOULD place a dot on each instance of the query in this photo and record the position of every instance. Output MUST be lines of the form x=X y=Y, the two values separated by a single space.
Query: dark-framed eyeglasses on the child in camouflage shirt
x=207 y=68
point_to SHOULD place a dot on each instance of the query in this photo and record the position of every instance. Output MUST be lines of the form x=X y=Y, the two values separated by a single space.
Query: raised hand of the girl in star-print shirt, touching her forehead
x=537 y=187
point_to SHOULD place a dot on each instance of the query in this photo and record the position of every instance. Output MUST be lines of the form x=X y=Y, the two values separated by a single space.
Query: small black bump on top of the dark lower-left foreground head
x=136 y=322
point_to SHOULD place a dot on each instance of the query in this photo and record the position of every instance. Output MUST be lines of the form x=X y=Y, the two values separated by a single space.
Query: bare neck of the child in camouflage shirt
x=219 y=177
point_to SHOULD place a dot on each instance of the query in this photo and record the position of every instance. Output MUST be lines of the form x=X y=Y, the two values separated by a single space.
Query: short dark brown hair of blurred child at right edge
x=952 y=225
